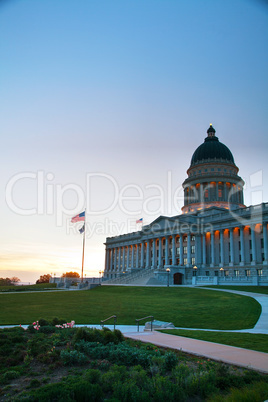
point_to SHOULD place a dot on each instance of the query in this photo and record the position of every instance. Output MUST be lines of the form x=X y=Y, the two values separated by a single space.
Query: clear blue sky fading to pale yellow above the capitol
x=125 y=89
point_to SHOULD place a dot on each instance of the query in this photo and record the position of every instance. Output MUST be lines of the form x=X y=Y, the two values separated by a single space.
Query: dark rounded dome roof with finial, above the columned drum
x=212 y=149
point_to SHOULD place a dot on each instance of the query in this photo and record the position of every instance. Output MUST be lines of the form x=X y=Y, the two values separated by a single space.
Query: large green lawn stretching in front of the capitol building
x=184 y=307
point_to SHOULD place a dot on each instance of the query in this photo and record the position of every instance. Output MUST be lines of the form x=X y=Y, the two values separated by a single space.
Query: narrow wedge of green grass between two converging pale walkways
x=247 y=341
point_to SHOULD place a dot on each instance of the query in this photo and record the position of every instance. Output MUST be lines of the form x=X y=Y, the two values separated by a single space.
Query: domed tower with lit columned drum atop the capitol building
x=212 y=177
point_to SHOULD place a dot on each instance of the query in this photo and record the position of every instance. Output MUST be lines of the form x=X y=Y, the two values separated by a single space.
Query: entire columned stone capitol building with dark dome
x=216 y=239
